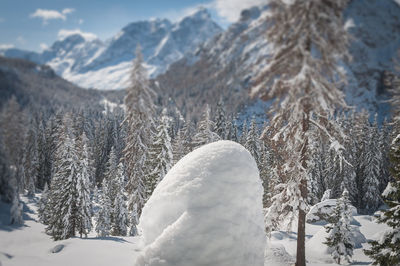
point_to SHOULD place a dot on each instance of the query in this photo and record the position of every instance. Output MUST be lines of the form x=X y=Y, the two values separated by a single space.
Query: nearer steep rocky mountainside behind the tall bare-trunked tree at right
x=225 y=65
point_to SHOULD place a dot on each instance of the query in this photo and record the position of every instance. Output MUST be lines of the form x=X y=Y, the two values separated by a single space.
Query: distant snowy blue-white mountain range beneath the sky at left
x=91 y=63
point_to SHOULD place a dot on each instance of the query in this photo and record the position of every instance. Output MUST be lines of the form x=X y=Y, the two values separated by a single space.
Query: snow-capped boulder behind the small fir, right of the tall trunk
x=321 y=212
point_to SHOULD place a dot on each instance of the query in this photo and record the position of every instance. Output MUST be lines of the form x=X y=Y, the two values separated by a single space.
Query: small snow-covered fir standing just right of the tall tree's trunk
x=339 y=232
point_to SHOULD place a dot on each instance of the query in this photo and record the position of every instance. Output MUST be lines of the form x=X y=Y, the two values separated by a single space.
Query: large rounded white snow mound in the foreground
x=206 y=211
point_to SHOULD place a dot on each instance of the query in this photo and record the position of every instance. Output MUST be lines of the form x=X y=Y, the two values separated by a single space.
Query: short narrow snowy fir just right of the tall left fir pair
x=103 y=218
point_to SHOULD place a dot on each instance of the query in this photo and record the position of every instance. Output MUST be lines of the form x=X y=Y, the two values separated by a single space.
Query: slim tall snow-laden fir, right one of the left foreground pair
x=84 y=204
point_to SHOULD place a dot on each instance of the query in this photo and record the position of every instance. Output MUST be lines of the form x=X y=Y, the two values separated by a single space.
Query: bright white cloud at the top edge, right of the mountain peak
x=230 y=9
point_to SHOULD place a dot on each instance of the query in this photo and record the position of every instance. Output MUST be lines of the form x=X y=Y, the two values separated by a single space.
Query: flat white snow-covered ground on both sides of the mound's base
x=29 y=245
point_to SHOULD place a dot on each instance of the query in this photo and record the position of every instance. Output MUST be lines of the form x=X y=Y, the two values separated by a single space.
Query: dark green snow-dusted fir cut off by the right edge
x=386 y=250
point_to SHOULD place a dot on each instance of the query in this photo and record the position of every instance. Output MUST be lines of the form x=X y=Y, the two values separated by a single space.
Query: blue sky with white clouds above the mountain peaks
x=36 y=24
